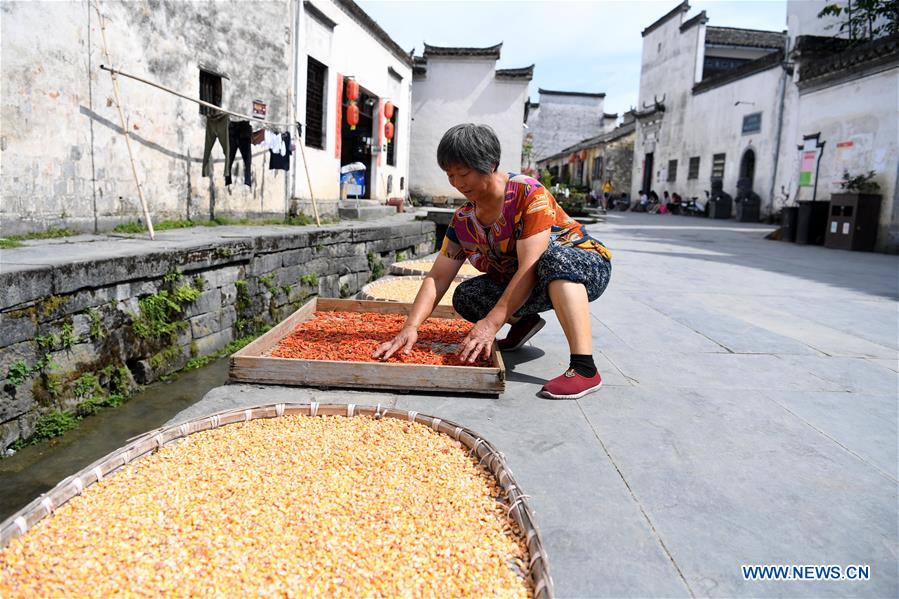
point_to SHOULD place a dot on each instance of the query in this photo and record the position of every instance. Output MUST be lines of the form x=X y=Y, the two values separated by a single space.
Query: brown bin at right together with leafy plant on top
x=854 y=213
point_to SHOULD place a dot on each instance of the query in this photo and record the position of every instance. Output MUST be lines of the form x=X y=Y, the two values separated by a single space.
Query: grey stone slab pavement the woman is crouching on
x=748 y=416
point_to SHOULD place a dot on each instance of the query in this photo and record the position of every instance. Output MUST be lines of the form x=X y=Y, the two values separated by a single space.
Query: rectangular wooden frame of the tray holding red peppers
x=252 y=364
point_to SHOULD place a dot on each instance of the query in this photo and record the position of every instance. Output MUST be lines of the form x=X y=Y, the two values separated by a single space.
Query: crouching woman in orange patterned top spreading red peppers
x=535 y=258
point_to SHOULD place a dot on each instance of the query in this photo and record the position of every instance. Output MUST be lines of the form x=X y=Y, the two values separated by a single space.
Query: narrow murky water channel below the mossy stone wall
x=38 y=468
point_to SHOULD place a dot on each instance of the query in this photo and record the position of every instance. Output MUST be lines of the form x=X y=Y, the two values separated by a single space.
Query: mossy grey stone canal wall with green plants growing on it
x=76 y=335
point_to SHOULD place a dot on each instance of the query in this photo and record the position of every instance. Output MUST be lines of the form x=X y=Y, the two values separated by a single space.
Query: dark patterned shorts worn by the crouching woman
x=474 y=298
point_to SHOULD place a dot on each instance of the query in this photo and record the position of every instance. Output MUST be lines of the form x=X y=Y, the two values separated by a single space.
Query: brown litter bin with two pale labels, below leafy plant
x=852 y=223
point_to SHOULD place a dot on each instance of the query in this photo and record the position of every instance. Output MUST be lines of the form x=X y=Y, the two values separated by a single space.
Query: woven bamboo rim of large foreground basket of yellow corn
x=520 y=511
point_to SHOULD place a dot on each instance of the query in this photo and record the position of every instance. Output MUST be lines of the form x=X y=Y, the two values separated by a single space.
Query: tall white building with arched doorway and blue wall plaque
x=709 y=106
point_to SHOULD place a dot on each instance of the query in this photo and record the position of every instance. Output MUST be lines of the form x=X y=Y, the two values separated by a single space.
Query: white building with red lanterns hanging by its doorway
x=340 y=41
